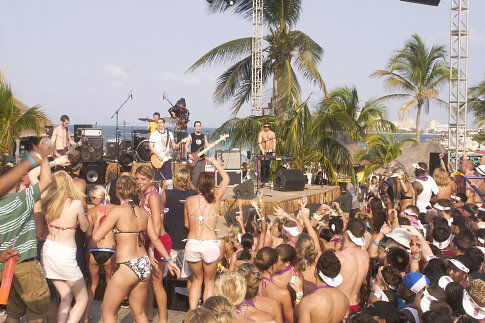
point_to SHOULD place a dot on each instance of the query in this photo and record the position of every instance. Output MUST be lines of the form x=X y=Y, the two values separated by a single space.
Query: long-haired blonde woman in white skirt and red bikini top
x=63 y=210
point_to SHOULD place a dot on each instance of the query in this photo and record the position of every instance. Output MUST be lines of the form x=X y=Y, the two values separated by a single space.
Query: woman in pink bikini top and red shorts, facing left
x=152 y=202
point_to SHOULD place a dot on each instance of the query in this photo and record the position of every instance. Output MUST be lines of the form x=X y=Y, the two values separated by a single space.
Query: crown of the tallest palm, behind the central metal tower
x=285 y=50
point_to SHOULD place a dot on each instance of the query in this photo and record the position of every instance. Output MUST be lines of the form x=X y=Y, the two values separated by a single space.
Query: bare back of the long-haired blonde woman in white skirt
x=63 y=229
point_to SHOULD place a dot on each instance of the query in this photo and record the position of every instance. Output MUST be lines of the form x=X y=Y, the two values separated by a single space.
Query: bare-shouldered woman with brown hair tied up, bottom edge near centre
x=266 y=261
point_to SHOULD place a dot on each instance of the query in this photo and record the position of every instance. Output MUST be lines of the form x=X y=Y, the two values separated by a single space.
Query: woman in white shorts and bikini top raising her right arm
x=202 y=250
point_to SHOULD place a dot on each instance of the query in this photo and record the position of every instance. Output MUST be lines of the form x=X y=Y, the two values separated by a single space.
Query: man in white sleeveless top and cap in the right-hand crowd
x=424 y=186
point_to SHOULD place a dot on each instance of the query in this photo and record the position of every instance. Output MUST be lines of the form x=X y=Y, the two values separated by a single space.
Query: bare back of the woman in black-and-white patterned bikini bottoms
x=131 y=225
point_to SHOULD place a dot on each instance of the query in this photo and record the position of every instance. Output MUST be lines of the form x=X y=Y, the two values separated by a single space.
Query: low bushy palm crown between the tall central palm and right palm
x=355 y=119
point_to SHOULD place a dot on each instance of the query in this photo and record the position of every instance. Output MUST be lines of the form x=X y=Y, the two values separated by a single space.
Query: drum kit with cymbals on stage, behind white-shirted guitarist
x=138 y=145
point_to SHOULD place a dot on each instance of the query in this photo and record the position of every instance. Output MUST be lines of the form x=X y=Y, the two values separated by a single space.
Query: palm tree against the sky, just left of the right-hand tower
x=417 y=72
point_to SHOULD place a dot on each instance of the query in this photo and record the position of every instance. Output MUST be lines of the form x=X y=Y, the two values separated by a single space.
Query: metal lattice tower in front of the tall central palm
x=257 y=60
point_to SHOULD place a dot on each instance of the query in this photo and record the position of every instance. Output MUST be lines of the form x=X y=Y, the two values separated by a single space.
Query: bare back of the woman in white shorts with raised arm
x=201 y=217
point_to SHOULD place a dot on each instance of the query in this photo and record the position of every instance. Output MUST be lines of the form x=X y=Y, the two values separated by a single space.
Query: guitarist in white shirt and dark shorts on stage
x=161 y=143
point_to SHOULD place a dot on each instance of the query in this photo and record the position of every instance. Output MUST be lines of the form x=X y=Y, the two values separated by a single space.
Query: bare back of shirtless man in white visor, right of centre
x=355 y=265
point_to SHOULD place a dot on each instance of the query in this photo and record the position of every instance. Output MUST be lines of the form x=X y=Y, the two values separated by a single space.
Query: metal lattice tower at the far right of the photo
x=458 y=107
